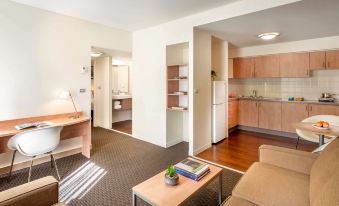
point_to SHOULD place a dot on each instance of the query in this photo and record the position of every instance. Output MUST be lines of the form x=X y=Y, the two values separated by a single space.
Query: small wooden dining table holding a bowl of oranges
x=323 y=133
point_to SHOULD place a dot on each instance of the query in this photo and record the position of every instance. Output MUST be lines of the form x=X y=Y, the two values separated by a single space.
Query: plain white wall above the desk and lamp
x=42 y=54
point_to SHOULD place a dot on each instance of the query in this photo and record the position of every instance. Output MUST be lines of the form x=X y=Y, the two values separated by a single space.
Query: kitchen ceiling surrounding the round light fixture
x=307 y=19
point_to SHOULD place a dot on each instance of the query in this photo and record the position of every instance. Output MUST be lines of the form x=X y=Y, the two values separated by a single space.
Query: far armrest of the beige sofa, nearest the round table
x=291 y=159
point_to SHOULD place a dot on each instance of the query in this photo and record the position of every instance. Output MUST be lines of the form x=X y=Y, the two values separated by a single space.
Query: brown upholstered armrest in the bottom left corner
x=41 y=192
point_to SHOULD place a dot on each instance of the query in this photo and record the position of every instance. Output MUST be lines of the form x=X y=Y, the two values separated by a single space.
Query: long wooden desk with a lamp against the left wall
x=72 y=128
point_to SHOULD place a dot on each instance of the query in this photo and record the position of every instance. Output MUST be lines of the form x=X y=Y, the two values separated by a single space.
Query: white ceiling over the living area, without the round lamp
x=127 y=14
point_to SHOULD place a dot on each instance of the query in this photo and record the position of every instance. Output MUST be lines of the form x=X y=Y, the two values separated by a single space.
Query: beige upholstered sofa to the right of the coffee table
x=288 y=177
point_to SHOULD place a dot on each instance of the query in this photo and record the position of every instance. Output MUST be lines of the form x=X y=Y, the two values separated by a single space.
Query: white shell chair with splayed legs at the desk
x=35 y=142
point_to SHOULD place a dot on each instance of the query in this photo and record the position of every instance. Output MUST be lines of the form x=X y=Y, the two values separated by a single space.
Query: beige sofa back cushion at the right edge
x=324 y=178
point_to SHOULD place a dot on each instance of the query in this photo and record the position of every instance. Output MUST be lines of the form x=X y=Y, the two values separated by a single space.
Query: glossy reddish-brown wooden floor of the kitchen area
x=240 y=150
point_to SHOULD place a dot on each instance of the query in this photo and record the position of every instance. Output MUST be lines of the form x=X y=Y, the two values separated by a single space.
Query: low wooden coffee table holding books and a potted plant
x=154 y=191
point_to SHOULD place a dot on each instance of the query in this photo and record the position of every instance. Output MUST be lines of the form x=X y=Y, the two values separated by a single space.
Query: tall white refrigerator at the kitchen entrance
x=218 y=111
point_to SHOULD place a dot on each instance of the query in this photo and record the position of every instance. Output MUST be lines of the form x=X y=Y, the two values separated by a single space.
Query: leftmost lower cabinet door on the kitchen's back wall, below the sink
x=248 y=113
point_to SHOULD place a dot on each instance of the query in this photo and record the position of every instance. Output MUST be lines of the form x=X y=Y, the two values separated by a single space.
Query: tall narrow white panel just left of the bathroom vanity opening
x=103 y=92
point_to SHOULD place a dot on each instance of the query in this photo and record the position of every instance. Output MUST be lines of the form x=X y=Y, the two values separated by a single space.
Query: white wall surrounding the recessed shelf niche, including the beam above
x=149 y=60
